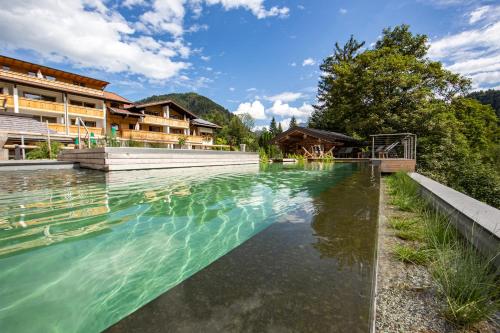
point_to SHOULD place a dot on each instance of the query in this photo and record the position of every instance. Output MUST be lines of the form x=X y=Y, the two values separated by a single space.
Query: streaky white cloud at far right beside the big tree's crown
x=474 y=52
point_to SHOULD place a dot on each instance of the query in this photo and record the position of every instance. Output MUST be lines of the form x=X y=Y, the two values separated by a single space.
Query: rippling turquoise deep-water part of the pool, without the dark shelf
x=80 y=249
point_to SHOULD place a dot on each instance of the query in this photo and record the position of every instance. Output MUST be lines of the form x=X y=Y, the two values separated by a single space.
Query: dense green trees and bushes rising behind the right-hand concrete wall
x=393 y=87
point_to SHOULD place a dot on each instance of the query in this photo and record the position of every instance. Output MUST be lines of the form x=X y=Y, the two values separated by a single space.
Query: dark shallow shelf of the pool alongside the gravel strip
x=312 y=272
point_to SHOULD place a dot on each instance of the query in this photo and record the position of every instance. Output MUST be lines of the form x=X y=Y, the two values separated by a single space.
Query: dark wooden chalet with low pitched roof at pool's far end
x=315 y=143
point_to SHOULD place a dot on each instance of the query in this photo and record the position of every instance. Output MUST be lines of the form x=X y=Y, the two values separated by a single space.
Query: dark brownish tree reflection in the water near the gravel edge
x=345 y=223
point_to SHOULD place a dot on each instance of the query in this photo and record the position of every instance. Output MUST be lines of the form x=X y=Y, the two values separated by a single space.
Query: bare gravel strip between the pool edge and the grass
x=406 y=298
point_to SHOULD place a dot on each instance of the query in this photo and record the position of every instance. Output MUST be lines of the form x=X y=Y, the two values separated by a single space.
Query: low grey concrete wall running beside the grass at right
x=477 y=221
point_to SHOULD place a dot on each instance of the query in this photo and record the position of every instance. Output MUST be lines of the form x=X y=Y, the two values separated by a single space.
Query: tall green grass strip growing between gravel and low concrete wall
x=467 y=280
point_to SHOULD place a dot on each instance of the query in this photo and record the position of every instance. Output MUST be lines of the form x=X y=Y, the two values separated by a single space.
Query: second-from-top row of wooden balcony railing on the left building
x=54 y=107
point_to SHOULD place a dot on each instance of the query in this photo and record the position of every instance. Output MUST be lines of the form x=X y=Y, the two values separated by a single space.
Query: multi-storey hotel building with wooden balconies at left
x=61 y=100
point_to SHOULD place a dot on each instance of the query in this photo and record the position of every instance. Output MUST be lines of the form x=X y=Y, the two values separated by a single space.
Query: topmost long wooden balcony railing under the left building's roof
x=44 y=83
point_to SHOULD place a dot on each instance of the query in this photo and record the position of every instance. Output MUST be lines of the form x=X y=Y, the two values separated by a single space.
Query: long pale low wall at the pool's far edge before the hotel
x=122 y=158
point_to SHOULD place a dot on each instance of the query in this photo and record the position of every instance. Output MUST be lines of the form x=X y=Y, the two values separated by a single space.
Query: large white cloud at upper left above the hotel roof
x=86 y=34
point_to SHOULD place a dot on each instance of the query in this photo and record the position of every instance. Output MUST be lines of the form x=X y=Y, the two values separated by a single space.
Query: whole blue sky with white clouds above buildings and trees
x=256 y=56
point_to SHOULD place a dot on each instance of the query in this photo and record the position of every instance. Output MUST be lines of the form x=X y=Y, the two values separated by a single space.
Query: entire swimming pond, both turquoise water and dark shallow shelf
x=80 y=250
